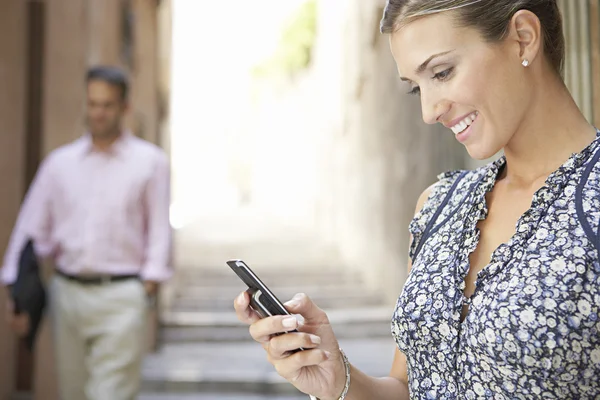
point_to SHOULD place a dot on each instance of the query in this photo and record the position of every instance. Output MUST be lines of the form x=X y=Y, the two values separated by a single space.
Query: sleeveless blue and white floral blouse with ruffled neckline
x=533 y=328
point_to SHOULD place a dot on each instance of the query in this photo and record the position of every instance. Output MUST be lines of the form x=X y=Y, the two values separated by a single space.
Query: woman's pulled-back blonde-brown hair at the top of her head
x=490 y=17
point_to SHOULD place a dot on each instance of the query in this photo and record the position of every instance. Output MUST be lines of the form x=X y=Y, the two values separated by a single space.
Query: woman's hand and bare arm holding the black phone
x=319 y=369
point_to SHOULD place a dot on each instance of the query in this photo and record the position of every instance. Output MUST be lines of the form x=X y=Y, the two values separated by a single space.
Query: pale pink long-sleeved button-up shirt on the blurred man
x=98 y=212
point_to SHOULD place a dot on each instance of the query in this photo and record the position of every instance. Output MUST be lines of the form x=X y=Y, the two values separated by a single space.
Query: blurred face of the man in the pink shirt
x=105 y=108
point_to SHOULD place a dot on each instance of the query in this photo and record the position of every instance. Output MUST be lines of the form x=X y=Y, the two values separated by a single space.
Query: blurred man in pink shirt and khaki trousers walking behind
x=99 y=207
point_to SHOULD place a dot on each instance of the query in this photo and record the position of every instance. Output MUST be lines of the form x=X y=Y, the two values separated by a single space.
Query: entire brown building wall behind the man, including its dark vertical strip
x=41 y=108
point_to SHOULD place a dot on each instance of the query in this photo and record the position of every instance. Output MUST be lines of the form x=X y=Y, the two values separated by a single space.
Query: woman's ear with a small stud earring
x=525 y=28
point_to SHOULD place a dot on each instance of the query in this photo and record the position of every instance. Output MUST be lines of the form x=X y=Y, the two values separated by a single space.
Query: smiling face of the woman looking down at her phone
x=474 y=88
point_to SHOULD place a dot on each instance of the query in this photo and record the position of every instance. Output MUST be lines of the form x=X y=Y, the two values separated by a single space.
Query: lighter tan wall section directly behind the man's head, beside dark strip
x=88 y=32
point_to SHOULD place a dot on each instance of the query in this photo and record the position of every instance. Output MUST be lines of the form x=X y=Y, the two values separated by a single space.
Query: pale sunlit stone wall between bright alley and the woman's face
x=380 y=155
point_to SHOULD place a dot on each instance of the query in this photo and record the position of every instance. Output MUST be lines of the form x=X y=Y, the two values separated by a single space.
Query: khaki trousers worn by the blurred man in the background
x=99 y=334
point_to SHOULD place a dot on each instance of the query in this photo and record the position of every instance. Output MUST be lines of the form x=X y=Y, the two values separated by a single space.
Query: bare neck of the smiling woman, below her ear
x=554 y=129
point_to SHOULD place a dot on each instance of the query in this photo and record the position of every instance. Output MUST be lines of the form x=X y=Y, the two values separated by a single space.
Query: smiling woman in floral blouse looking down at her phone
x=503 y=296
